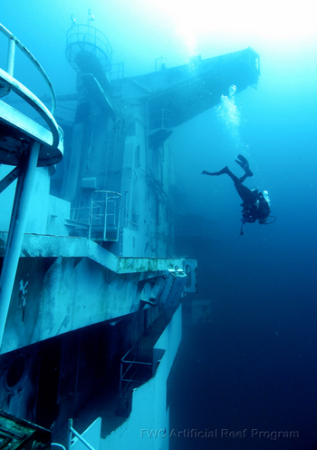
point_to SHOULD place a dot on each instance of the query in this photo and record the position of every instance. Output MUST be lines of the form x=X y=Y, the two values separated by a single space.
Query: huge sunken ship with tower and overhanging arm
x=91 y=319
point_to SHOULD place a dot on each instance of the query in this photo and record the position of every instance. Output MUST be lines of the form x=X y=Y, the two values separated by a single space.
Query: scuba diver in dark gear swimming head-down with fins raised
x=255 y=204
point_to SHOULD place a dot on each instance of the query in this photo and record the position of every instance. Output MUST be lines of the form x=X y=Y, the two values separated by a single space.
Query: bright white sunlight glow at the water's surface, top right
x=270 y=20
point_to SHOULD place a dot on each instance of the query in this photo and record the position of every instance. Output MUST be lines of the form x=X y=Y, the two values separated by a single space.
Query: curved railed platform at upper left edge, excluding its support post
x=19 y=131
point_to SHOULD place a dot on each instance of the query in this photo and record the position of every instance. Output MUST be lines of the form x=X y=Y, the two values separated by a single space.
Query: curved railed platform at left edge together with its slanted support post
x=26 y=167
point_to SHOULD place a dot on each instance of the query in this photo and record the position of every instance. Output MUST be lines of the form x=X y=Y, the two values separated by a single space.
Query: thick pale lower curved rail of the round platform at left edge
x=33 y=101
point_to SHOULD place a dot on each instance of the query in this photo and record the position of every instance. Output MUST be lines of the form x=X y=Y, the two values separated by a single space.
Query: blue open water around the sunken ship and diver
x=254 y=366
